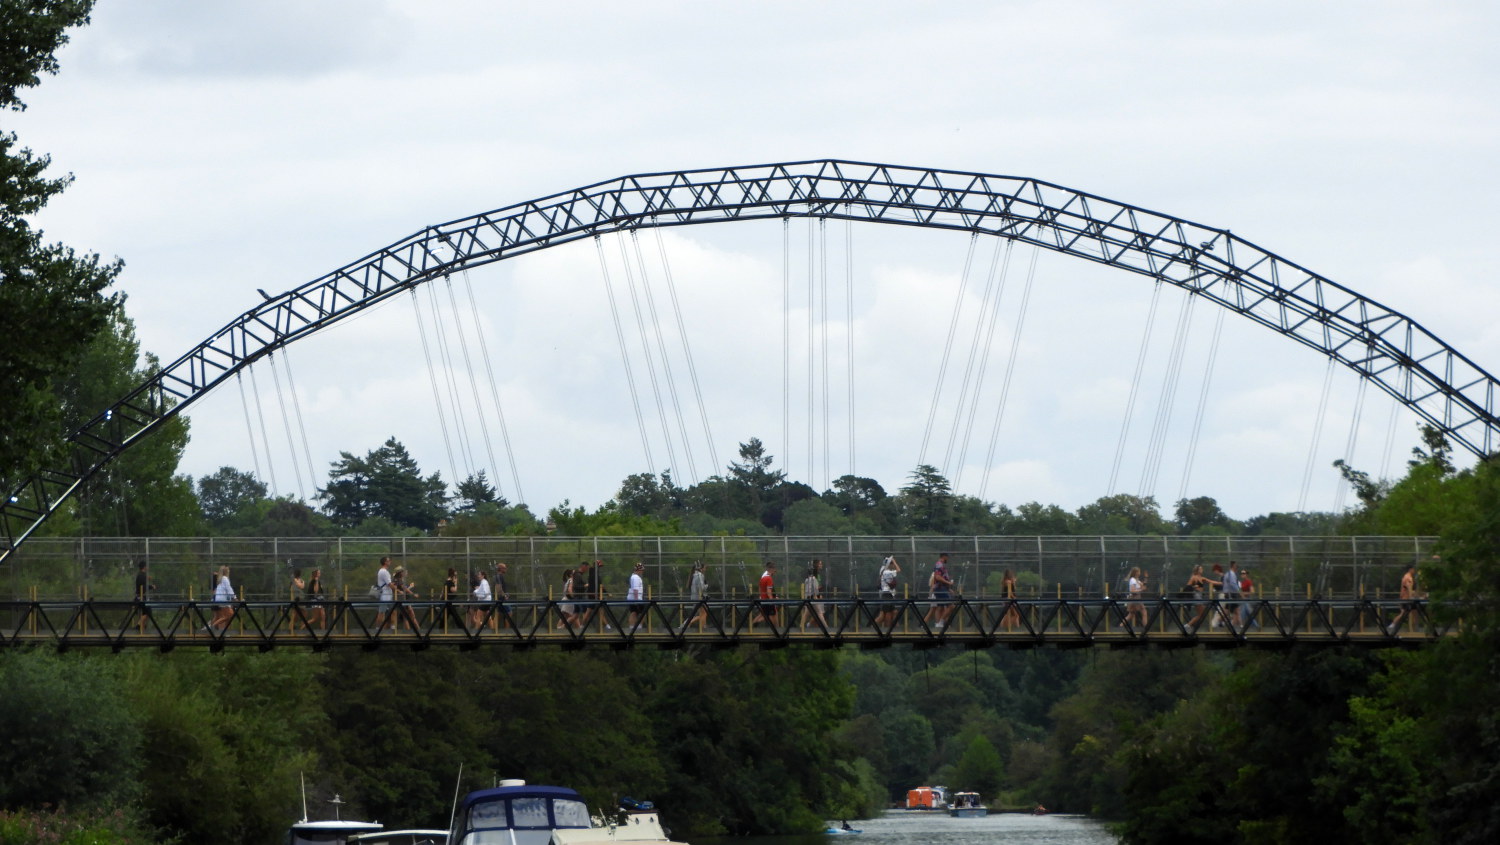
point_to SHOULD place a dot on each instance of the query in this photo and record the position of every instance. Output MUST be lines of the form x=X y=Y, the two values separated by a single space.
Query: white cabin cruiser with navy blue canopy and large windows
x=523 y=814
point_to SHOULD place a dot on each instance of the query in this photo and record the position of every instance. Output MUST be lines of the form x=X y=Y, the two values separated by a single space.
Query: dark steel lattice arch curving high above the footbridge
x=1406 y=361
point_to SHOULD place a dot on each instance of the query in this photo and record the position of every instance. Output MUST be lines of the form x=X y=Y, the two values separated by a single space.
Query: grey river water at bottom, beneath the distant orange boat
x=907 y=828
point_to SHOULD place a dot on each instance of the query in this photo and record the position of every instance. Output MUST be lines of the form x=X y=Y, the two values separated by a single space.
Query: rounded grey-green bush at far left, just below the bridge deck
x=67 y=741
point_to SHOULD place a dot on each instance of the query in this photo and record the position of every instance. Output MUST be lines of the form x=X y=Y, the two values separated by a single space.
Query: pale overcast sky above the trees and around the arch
x=224 y=148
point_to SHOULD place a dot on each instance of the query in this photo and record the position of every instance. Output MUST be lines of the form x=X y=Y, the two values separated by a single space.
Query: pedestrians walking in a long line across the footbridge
x=1225 y=598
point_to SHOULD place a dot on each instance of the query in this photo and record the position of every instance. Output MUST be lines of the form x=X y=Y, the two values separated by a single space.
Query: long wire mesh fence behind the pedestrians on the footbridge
x=1045 y=567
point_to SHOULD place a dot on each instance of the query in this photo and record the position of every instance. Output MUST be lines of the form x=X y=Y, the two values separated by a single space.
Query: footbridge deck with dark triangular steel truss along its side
x=1019 y=624
